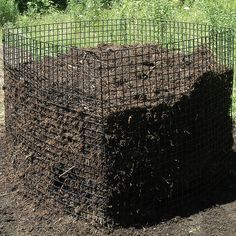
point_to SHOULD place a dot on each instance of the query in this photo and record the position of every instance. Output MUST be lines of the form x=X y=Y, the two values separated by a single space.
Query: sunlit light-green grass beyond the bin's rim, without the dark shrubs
x=217 y=12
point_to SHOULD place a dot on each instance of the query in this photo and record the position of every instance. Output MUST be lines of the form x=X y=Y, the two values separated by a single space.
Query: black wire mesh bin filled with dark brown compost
x=118 y=121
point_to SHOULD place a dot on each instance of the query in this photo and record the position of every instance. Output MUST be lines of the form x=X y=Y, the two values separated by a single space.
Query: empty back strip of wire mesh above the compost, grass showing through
x=43 y=36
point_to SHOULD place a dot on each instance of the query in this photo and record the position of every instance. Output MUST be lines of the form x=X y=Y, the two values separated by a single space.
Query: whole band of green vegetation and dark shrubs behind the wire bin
x=217 y=12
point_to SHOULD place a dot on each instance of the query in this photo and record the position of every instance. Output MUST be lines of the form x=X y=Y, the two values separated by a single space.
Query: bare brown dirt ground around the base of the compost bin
x=21 y=216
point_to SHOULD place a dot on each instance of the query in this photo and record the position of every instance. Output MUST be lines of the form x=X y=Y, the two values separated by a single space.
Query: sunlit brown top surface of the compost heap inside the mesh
x=121 y=76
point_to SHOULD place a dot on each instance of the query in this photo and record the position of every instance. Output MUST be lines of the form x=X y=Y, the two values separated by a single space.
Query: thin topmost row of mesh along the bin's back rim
x=139 y=20
